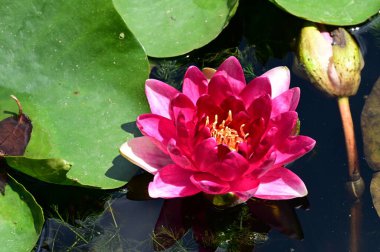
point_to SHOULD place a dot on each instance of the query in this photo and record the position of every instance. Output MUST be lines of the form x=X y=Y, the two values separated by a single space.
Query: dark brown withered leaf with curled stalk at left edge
x=15 y=132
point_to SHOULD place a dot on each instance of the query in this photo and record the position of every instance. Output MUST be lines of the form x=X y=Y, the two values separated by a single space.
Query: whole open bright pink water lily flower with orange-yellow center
x=221 y=136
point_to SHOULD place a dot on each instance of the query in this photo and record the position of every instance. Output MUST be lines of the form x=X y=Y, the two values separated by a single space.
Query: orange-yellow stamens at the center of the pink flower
x=224 y=134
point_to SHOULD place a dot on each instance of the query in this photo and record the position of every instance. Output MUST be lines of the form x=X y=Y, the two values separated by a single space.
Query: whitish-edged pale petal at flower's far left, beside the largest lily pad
x=143 y=153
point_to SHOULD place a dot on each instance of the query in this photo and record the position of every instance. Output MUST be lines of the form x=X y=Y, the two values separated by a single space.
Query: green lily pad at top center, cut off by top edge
x=173 y=27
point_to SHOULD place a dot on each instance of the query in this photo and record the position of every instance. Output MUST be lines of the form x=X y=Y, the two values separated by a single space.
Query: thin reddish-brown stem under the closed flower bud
x=349 y=134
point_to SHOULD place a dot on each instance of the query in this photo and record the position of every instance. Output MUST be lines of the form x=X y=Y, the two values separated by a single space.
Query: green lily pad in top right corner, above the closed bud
x=334 y=12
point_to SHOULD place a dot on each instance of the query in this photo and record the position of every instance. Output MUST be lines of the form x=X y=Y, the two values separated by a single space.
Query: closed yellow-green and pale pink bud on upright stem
x=332 y=60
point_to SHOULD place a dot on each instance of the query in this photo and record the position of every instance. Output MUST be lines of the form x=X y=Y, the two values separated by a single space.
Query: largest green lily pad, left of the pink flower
x=79 y=74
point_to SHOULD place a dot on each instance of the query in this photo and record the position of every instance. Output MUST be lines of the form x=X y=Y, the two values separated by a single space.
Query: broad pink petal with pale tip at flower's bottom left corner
x=172 y=181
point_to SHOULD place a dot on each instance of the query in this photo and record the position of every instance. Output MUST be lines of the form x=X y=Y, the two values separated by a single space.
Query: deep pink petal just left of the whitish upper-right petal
x=257 y=87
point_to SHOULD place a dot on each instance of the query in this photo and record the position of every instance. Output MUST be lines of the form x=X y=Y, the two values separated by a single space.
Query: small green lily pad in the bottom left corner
x=21 y=218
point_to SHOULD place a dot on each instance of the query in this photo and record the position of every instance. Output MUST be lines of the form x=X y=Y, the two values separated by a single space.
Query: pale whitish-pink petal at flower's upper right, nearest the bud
x=279 y=78
